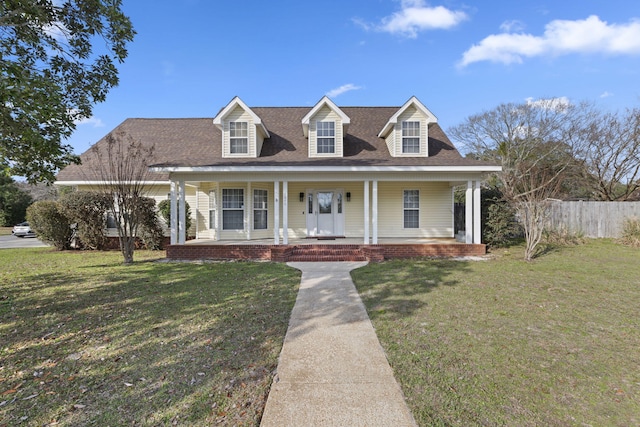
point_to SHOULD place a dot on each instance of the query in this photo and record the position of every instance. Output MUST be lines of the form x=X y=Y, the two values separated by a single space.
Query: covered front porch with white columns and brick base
x=407 y=214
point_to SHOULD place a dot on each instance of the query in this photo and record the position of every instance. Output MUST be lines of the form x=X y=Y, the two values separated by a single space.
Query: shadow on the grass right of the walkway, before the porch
x=392 y=288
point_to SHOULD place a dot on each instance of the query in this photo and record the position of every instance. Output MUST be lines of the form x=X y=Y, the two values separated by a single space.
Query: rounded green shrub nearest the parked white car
x=50 y=223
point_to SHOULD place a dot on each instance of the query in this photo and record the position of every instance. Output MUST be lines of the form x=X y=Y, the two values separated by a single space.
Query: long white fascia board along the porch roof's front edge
x=319 y=169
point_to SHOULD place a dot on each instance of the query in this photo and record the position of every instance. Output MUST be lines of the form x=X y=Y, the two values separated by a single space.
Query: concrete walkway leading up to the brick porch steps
x=332 y=369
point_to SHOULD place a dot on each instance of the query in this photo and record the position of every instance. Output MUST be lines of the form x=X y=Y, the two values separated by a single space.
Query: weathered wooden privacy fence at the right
x=593 y=219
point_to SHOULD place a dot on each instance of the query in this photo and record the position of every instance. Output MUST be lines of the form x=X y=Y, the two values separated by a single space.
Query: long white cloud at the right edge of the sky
x=561 y=37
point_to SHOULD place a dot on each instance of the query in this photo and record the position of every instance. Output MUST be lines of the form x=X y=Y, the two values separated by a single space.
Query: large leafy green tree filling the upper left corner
x=57 y=59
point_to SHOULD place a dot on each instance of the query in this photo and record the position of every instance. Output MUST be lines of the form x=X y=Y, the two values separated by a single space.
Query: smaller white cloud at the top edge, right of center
x=415 y=16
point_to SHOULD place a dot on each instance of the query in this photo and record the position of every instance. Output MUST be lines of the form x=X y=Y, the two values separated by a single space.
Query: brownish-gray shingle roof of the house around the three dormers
x=198 y=142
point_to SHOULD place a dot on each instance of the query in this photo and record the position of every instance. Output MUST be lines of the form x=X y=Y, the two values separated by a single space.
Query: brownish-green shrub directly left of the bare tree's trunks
x=87 y=209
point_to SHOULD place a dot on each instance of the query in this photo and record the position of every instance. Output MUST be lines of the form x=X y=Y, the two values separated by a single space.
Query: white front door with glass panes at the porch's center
x=325 y=215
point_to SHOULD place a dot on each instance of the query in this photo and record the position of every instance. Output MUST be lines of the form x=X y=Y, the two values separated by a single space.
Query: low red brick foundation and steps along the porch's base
x=286 y=253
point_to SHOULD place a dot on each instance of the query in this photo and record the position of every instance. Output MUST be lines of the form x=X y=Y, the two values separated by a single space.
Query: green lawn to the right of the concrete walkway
x=554 y=342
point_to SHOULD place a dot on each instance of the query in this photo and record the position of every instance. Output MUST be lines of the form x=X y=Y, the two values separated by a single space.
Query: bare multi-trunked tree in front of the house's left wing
x=120 y=164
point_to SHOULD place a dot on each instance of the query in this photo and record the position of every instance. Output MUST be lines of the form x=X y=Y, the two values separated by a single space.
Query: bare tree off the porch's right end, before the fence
x=535 y=143
